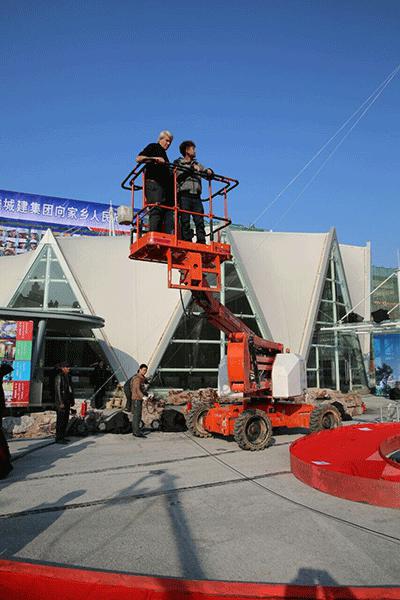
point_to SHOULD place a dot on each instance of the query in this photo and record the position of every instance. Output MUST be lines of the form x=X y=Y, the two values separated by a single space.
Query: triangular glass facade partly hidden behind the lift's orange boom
x=192 y=357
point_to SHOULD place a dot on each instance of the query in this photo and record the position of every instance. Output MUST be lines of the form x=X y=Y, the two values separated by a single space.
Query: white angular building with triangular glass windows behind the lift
x=286 y=286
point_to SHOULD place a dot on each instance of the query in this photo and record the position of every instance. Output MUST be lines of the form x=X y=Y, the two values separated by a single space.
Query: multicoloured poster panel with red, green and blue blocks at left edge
x=16 y=349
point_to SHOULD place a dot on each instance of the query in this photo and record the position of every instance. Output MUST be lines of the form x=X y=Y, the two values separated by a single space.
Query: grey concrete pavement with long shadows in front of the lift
x=177 y=506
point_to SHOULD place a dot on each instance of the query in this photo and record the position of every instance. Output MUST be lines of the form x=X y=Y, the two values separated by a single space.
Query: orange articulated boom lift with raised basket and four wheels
x=264 y=379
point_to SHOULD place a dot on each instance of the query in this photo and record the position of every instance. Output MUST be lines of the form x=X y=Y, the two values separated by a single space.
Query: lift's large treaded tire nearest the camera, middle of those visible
x=253 y=430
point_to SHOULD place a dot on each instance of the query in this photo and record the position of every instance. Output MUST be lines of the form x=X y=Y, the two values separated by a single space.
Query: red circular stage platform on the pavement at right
x=351 y=462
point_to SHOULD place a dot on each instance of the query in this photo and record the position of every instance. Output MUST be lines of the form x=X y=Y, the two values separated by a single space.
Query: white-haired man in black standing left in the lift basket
x=158 y=182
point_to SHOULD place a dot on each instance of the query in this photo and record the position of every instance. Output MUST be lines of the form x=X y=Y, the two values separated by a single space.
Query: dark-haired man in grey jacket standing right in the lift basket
x=189 y=191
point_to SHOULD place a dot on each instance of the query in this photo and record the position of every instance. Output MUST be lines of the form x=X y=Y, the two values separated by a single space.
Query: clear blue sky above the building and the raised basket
x=259 y=85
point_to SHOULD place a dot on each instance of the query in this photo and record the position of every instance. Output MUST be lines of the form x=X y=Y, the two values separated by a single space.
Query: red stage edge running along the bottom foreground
x=28 y=581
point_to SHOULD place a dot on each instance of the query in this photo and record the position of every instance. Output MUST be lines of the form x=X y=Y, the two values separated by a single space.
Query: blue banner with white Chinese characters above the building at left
x=56 y=211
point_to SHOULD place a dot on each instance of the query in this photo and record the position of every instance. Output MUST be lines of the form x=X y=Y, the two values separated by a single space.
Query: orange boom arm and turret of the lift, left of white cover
x=250 y=357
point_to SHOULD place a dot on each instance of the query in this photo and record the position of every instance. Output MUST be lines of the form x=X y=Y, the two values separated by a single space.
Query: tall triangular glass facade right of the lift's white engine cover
x=335 y=360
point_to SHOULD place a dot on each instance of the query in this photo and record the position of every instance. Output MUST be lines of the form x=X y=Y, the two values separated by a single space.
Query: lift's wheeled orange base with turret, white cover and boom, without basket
x=261 y=373
